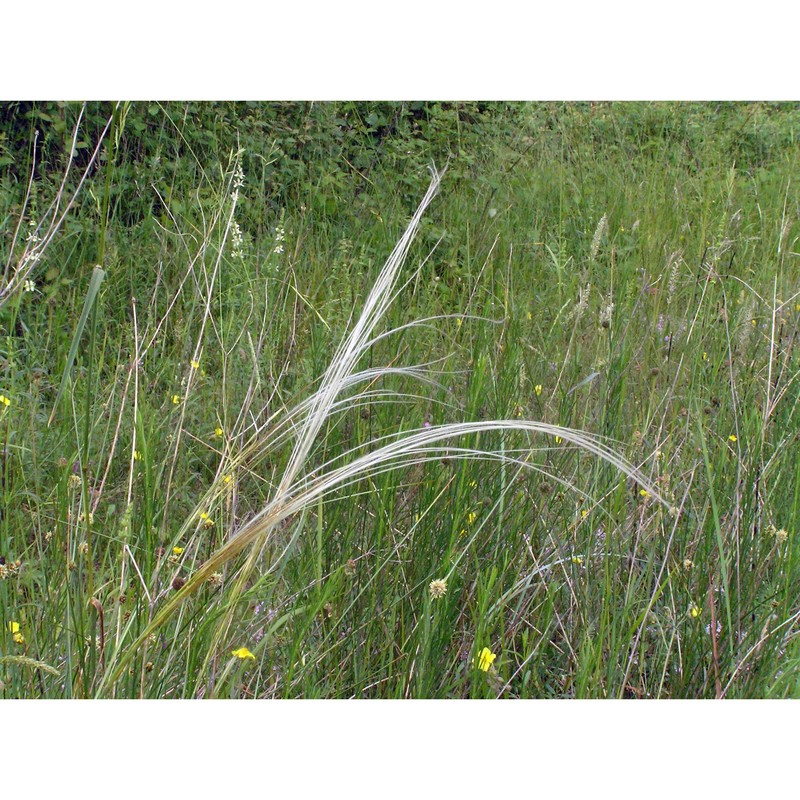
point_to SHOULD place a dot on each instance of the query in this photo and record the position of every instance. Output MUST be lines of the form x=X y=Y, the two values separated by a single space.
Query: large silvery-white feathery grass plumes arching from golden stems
x=300 y=489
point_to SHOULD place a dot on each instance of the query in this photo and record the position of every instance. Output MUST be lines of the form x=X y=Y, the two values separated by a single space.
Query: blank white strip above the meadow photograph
x=615 y=50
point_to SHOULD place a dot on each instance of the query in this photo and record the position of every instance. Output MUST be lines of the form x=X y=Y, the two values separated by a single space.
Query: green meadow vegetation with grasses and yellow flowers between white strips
x=271 y=428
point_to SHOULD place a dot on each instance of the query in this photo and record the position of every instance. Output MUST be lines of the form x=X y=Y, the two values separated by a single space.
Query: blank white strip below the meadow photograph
x=408 y=749
